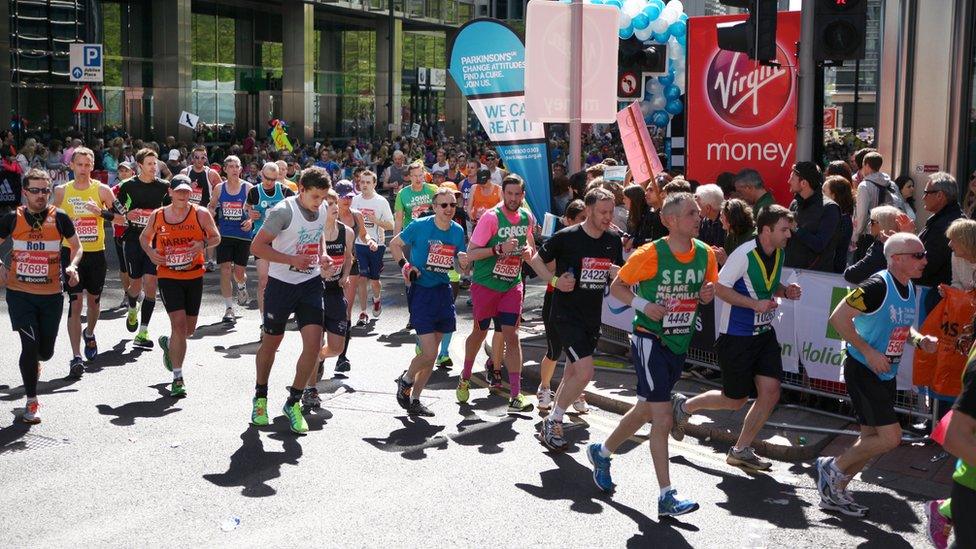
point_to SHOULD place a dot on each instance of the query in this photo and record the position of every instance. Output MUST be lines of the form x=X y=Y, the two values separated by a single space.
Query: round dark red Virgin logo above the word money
x=747 y=95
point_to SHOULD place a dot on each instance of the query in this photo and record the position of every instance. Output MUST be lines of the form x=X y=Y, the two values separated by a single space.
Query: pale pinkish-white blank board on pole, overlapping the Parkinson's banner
x=547 y=63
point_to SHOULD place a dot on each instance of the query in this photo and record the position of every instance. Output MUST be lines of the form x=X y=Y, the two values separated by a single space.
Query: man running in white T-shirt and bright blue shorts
x=378 y=219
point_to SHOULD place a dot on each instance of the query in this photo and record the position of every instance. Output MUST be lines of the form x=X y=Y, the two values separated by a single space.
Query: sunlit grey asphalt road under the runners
x=117 y=462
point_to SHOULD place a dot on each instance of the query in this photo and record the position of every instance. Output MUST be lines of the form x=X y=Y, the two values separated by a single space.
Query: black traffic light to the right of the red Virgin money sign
x=839 y=27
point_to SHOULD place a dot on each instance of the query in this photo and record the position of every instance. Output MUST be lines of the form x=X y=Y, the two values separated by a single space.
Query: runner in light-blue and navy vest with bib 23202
x=228 y=204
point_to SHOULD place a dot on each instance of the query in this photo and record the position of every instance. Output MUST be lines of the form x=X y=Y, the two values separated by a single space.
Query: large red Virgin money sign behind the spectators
x=741 y=114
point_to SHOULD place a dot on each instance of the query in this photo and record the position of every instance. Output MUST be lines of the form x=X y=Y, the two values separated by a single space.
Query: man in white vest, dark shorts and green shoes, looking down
x=291 y=241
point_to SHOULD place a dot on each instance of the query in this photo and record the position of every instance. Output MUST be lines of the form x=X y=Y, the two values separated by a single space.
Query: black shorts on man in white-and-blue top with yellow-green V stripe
x=742 y=358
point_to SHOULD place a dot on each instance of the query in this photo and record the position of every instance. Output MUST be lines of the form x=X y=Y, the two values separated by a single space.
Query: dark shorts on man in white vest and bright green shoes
x=282 y=299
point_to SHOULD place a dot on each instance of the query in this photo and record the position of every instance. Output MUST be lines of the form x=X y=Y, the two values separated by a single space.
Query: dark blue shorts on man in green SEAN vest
x=658 y=369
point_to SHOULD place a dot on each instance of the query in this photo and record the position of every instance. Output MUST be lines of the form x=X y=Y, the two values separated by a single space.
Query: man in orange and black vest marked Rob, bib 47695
x=33 y=280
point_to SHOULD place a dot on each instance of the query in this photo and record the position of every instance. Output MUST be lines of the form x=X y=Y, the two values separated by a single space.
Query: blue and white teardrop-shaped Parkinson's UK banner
x=488 y=65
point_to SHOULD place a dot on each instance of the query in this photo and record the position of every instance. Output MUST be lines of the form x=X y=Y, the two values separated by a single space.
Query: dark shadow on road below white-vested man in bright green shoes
x=252 y=467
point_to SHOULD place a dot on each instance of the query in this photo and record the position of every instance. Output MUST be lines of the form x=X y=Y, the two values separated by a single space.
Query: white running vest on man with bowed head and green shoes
x=302 y=237
